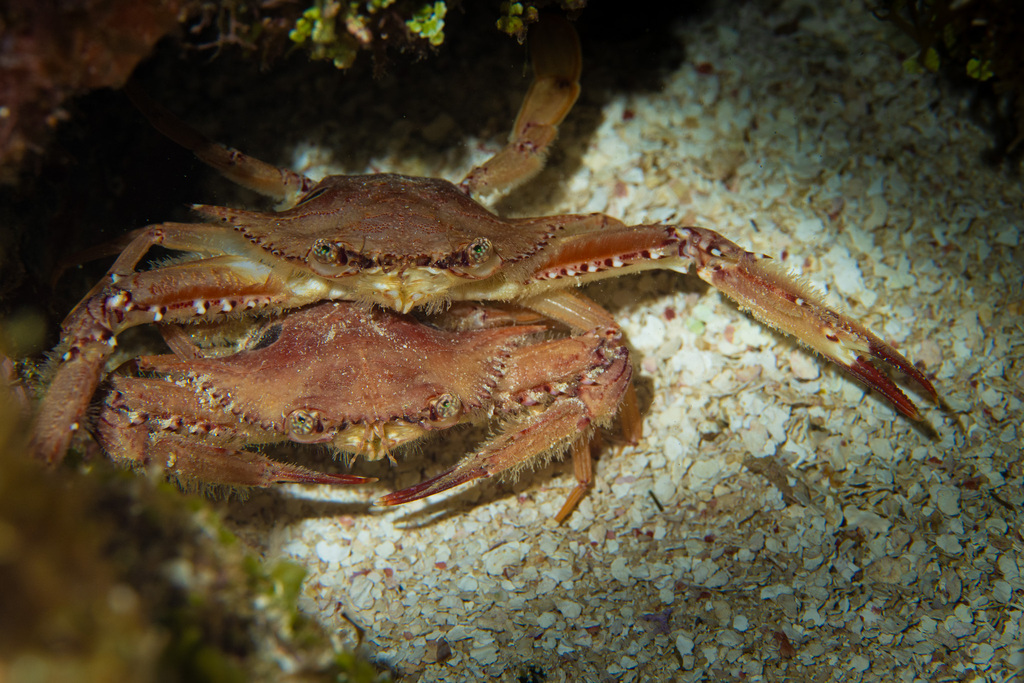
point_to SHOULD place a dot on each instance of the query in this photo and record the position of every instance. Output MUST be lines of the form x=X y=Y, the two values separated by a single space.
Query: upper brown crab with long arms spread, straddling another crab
x=408 y=243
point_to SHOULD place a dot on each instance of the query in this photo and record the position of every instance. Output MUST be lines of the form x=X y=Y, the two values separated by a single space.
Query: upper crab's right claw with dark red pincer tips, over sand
x=780 y=300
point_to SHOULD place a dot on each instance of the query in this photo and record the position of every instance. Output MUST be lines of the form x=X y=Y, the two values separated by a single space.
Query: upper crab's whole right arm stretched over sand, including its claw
x=753 y=281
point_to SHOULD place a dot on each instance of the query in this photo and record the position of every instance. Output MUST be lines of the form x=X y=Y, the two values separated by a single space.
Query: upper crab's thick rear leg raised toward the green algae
x=556 y=51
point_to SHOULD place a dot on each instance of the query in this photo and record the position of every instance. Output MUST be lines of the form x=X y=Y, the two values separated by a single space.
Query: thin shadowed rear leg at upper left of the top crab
x=279 y=184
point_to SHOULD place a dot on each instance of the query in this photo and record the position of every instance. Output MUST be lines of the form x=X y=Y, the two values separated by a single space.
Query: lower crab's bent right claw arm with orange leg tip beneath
x=567 y=420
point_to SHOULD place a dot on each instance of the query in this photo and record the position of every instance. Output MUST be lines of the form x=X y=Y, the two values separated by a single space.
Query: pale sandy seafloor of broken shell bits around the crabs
x=777 y=522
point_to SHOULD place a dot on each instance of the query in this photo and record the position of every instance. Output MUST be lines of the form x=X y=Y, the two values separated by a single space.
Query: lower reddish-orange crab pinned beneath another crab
x=367 y=381
